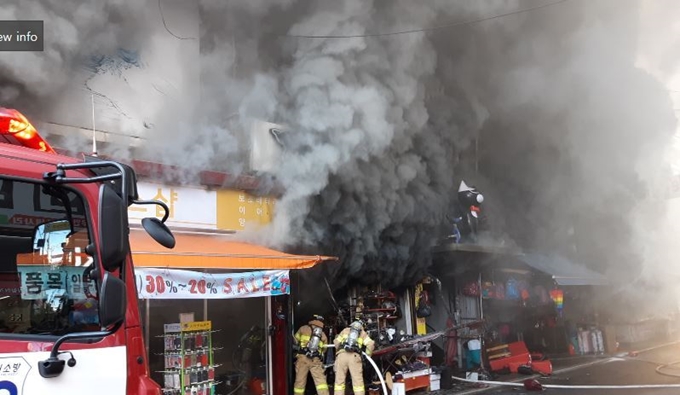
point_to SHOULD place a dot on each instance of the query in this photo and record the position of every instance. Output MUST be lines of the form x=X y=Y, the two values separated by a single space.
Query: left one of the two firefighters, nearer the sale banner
x=310 y=344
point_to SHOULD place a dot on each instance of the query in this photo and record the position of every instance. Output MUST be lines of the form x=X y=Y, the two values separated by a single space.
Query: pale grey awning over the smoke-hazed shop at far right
x=564 y=271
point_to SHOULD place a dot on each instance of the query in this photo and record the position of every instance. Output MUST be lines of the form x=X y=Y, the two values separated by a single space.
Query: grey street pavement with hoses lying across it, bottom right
x=635 y=366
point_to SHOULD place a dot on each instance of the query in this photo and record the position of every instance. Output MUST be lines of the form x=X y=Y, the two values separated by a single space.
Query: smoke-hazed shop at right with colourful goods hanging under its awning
x=539 y=301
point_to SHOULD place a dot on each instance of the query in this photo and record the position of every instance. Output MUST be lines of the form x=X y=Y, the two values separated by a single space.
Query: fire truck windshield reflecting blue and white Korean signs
x=44 y=271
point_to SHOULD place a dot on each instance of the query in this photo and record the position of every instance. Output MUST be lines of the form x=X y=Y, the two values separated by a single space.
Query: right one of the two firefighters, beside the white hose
x=349 y=344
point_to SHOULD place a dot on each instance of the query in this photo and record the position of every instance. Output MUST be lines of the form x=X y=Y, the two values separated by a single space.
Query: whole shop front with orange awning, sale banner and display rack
x=240 y=291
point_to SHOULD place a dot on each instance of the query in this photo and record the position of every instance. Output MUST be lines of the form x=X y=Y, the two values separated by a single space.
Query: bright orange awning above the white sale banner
x=206 y=251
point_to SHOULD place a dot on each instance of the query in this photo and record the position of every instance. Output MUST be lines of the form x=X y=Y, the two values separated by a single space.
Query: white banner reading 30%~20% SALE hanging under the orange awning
x=154 y=283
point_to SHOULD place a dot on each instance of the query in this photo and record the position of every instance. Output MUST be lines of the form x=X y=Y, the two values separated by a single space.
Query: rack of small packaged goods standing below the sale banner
x=189 y=365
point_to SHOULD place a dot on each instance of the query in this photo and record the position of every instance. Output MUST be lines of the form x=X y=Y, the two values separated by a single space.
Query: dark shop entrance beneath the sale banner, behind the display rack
x=238 y=333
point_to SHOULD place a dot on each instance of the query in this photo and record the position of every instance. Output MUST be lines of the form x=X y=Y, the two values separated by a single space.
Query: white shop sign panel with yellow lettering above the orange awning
x=189 y=207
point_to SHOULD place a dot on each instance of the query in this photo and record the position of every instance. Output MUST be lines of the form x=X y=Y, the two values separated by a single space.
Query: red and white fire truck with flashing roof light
x=69 y=322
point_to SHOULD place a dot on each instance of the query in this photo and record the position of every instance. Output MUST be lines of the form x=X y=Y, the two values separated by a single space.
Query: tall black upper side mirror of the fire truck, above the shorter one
x=112 y=228
